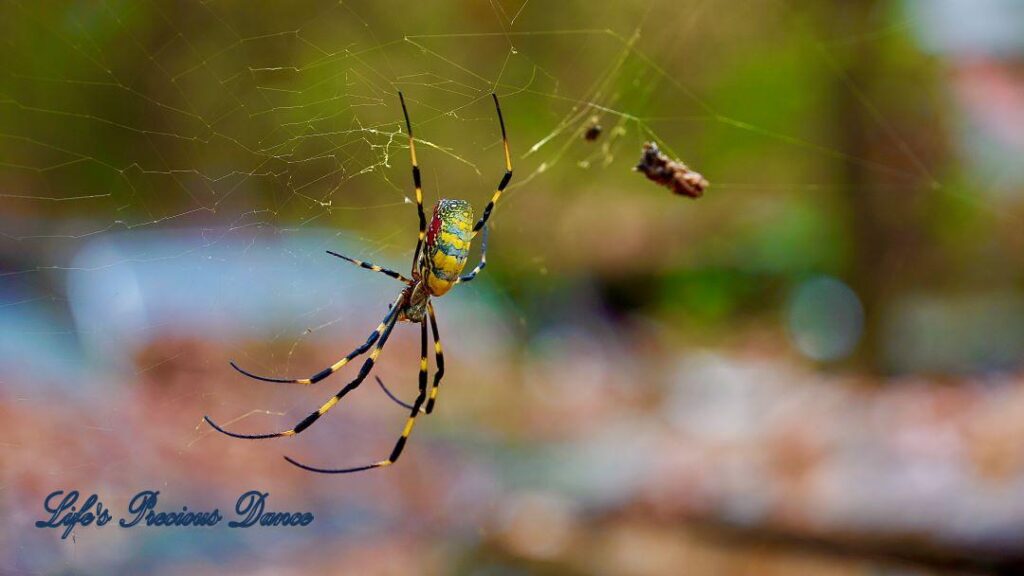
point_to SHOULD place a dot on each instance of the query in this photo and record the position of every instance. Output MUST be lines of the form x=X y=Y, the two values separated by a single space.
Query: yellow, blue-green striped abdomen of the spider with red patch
x=448 y=244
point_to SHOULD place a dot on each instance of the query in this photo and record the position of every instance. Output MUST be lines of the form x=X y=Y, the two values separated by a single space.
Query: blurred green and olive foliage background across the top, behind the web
x=824 y=130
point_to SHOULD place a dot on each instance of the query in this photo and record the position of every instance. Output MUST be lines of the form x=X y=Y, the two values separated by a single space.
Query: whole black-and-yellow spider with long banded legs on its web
x=442 y=252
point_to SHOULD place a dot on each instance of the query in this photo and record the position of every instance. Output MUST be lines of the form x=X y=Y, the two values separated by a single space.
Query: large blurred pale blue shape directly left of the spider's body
x=125 y=290
